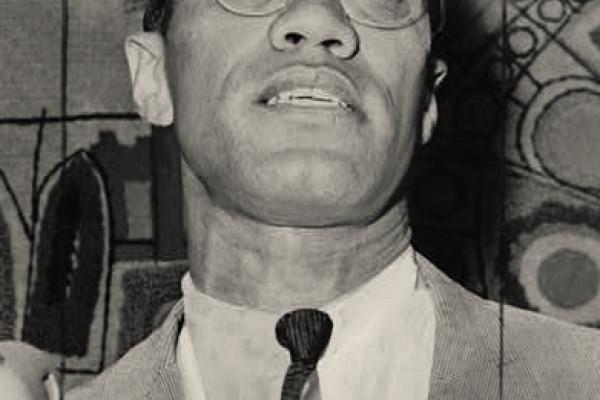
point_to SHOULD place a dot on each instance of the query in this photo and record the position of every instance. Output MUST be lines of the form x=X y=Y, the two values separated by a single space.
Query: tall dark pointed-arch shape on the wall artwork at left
x=71 y=253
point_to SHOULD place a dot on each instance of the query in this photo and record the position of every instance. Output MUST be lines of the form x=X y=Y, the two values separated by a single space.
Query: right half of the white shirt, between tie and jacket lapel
x=383 y=347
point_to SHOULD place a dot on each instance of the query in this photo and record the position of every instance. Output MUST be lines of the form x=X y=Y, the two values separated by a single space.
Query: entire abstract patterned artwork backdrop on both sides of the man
x=505 y=198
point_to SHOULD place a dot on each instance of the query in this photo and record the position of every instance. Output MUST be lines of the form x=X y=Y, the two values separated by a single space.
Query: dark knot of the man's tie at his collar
x=305 y=333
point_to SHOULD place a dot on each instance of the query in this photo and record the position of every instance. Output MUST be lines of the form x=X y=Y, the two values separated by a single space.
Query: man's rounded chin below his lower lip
x=311 y=195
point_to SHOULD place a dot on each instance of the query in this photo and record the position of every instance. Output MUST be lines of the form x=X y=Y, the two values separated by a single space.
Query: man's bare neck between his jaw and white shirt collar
x=252 y=264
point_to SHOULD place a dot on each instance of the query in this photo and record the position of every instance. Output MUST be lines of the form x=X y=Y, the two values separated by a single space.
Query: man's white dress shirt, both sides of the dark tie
x=381 y=346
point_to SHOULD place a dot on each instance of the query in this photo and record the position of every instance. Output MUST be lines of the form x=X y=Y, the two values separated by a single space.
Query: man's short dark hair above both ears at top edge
x=157 y=15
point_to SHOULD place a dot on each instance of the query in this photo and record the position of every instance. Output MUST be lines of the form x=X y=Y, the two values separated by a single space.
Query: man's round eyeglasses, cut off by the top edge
x=383 y=14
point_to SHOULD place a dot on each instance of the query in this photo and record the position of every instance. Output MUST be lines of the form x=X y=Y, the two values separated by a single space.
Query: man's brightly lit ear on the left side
x=145 y=53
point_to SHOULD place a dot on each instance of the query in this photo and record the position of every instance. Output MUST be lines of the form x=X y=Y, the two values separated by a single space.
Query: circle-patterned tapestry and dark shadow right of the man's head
x=512 y=185
